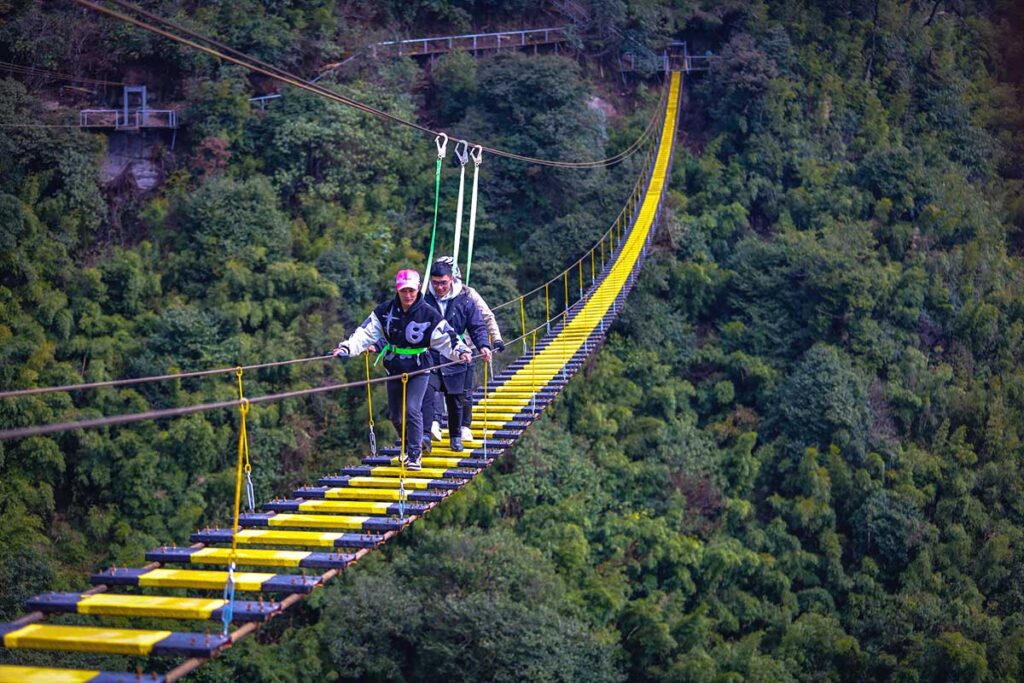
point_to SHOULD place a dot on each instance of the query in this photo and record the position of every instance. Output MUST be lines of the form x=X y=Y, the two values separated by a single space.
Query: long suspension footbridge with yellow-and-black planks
x=295 y=545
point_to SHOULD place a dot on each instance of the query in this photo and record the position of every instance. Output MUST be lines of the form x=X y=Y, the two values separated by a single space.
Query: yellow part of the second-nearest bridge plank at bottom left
x=84 y=639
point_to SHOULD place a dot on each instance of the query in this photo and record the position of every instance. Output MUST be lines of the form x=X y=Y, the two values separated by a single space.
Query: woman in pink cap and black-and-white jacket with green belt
x=403 y=329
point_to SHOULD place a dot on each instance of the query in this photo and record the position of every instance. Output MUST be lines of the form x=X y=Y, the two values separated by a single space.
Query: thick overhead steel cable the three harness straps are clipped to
x=269 y=70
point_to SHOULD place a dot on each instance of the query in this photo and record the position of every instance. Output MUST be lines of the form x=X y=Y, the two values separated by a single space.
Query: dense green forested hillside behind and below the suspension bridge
x=798 y=458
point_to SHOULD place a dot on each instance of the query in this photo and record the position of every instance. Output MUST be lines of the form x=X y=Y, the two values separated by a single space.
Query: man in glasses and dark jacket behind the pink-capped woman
x=450 y=298
